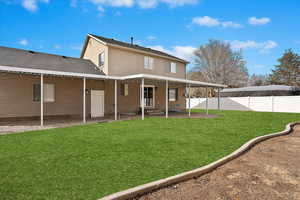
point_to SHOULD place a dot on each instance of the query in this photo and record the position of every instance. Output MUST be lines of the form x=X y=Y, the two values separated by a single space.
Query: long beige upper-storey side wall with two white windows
x=126 y=62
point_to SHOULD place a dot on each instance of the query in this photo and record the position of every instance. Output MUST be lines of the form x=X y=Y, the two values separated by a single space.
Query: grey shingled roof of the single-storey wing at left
x=35 y=60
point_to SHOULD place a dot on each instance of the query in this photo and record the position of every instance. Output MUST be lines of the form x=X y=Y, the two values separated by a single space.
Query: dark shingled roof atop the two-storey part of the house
x=136 y=47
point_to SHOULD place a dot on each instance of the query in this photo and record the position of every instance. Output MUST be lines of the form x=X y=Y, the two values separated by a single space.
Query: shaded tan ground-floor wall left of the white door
x=16 y=96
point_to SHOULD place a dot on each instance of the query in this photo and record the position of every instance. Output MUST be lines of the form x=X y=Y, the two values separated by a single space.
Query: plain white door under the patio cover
x=97 y=103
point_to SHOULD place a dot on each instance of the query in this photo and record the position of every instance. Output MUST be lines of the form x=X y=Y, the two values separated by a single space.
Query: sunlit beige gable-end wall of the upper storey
x=93 y=49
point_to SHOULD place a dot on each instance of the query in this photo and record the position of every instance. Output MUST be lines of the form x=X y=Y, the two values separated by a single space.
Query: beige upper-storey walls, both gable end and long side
x=120 y=61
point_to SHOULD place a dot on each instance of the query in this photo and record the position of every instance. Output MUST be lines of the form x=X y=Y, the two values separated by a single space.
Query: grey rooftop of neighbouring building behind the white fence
x=263 y=88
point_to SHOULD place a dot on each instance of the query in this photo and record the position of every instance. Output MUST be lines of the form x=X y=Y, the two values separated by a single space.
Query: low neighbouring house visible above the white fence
x=256 y=91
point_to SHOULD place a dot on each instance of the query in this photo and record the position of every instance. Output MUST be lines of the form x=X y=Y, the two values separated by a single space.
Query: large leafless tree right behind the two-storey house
x=218 y=63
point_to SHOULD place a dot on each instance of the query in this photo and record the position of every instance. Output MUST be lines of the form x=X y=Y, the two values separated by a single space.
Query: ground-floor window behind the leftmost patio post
x=49 y=93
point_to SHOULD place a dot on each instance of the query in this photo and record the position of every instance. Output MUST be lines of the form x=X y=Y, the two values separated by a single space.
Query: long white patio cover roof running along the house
x=105 y=77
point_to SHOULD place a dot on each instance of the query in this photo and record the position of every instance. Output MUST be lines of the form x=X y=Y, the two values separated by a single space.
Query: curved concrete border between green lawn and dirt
x=149 y=187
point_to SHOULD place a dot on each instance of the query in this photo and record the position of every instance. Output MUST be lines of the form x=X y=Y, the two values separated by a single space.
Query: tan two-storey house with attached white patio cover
x=110 y=78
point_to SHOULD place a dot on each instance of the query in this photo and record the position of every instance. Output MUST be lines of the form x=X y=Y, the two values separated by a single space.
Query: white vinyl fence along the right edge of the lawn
x=265 y=104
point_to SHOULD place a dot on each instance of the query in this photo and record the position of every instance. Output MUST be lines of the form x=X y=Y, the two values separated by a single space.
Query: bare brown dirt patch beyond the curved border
x=270 y=170
